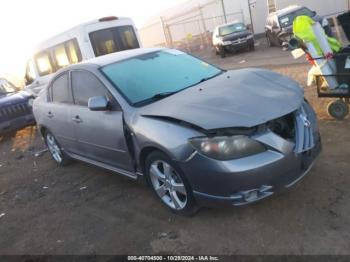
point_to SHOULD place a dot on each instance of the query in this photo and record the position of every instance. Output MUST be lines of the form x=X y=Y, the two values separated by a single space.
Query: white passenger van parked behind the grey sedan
x=96 y=38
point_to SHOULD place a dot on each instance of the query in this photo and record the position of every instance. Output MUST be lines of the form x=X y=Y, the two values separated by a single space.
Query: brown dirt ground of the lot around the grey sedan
x=81 y=209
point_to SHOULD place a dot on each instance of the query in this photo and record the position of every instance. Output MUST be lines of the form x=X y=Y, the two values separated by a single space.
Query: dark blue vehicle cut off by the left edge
x=15 y=108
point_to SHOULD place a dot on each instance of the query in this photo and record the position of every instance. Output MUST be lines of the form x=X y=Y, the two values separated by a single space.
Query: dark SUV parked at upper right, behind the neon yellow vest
x=279 y=24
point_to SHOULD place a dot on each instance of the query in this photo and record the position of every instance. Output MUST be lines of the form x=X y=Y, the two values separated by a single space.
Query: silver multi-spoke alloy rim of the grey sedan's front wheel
x=168 y=185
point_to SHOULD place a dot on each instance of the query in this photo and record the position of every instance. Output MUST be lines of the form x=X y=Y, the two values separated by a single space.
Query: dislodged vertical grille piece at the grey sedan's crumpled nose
x=304 y=139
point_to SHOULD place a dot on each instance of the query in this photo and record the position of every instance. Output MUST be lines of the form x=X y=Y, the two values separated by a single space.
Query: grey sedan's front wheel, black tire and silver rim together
x=163 y=175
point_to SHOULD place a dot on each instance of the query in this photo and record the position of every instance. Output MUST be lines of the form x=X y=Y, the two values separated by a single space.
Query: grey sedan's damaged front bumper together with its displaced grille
x=250 y=179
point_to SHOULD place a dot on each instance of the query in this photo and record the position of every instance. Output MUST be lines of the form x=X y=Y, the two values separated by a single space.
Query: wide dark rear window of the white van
x=114 y=39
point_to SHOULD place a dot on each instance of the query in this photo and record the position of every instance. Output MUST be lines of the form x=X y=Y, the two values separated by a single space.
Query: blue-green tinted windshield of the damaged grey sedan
x=146 y=78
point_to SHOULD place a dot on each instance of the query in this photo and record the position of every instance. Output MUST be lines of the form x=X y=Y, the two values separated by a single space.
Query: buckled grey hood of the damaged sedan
x=239 y=98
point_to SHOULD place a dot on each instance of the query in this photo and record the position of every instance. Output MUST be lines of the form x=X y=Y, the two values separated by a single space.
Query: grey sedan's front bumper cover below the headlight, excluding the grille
x=245 y=181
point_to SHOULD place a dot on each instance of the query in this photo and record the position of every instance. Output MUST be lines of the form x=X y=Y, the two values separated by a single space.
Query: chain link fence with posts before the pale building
x=190 y=29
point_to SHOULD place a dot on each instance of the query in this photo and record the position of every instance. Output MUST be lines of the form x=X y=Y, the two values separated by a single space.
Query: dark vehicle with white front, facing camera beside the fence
x=232 y=37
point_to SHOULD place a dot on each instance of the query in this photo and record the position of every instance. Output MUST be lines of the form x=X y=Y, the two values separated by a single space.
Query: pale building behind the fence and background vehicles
x=195 y=20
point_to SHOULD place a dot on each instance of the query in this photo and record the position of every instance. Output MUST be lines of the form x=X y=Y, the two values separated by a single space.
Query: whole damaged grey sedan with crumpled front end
x=200 y=135
